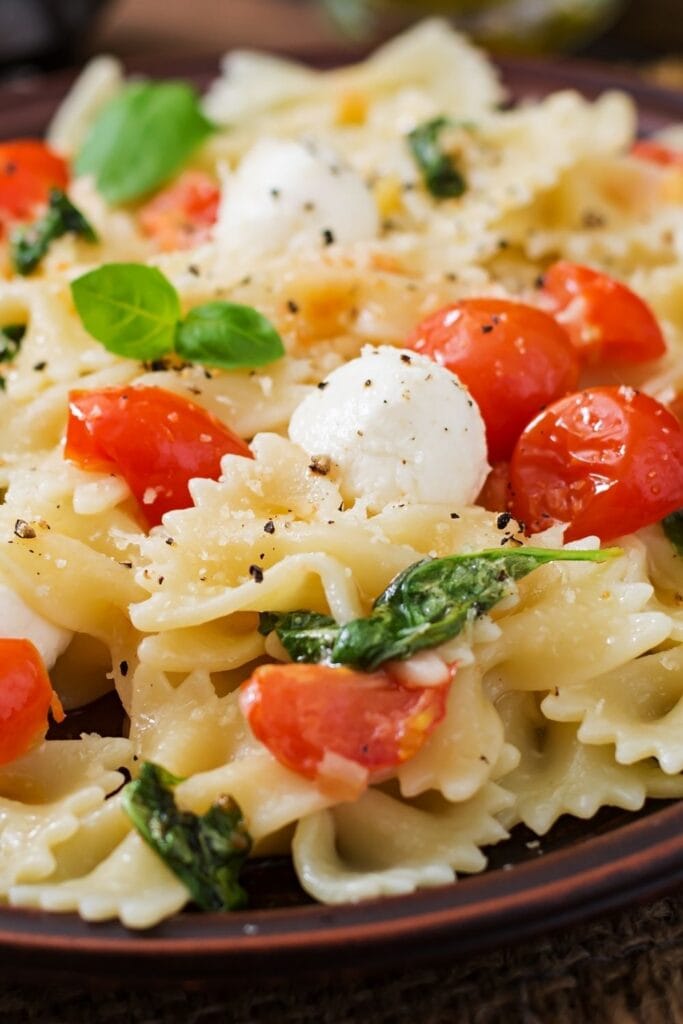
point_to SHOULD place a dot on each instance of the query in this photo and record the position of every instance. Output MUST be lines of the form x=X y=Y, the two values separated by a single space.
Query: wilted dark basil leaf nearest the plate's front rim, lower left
x=205 y=852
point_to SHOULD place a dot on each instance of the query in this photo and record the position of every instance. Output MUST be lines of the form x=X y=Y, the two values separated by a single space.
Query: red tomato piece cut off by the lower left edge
x=26 y=699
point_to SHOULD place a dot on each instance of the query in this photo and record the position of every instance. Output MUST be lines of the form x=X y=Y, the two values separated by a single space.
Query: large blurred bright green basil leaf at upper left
x=142 y=139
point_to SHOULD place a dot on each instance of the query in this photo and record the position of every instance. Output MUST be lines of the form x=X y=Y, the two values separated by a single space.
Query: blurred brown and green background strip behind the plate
x=48 y=34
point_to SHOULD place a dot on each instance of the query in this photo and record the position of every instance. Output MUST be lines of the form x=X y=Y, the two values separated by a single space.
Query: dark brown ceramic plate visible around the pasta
x=581 y=870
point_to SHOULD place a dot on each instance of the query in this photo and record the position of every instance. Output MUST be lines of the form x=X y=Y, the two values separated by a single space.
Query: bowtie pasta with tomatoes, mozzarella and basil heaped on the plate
x=294 y=383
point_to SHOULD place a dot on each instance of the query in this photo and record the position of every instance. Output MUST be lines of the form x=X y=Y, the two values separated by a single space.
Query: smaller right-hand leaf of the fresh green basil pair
x=229 y=336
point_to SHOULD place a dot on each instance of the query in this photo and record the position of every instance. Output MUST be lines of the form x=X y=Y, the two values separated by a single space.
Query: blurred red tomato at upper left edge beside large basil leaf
x=28 y=170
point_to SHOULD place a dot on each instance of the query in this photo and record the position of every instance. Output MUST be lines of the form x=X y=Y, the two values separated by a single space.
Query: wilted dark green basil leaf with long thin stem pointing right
x=428 y=605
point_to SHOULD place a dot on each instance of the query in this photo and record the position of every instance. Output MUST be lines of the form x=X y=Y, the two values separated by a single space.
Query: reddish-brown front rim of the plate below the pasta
x=634 y=863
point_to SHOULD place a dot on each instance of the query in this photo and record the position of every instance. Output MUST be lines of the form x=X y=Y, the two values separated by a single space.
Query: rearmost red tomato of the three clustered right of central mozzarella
x=605 y=319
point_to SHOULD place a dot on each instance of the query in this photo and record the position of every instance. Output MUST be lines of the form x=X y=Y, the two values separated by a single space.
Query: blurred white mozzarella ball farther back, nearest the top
x=288 y=195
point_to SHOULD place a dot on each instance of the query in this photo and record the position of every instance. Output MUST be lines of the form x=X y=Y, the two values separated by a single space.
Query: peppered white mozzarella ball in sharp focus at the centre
x=398 y=429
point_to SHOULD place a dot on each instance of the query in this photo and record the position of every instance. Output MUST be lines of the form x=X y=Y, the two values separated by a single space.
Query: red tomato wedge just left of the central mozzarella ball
x=156 y=440
